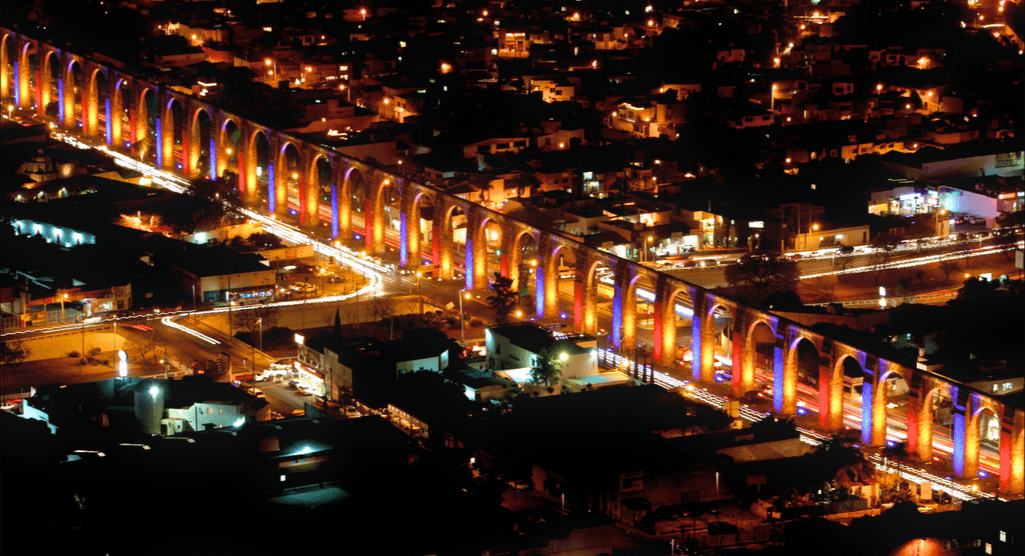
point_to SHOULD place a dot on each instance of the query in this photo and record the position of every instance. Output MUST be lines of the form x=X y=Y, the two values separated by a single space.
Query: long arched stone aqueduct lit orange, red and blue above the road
x=321 y=188
